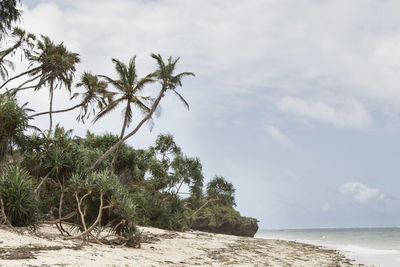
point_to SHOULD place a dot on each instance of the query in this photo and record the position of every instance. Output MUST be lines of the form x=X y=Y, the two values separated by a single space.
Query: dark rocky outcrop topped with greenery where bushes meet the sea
x=232 y=225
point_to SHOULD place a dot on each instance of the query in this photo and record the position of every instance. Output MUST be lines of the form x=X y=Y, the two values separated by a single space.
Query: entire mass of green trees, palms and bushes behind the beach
x=96 y=182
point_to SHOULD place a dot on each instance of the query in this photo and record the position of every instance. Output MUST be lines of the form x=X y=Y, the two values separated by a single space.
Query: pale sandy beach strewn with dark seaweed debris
x=45 y=247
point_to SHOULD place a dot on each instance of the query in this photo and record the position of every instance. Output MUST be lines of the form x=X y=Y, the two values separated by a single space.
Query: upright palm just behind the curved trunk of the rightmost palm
x=129 y=88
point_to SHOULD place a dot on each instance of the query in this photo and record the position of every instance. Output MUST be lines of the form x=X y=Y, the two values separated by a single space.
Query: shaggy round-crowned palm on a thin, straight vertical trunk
x=56 y=68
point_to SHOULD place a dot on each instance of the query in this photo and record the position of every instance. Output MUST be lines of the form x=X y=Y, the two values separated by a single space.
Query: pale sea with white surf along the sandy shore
x=376 y=246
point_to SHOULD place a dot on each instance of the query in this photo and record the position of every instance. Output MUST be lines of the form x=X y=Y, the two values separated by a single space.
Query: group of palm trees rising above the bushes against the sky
x=53 y=66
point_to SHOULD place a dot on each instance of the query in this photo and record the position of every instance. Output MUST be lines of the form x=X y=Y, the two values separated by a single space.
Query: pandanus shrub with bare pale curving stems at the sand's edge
x=103 y=203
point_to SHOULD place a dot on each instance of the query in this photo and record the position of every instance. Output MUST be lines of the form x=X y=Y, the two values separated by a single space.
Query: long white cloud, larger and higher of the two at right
x=350 y=114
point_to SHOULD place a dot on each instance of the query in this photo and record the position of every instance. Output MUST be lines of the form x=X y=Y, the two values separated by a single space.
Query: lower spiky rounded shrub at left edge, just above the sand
x=17 y=195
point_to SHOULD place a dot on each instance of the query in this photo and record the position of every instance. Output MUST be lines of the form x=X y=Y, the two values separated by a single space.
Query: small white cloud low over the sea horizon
x=361 y=193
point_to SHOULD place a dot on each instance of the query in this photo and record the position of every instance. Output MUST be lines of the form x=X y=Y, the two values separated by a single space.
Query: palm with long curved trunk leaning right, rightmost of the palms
x=169 y=82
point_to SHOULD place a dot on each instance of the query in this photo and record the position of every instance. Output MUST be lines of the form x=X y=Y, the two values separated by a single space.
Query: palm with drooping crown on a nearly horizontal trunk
x=95 y=94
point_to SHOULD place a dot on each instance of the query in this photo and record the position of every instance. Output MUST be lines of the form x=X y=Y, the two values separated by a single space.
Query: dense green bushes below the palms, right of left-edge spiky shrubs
x=159 y=187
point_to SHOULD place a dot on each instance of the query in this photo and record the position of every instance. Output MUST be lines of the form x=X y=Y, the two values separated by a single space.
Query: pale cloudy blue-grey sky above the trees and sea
x=297 y=103
